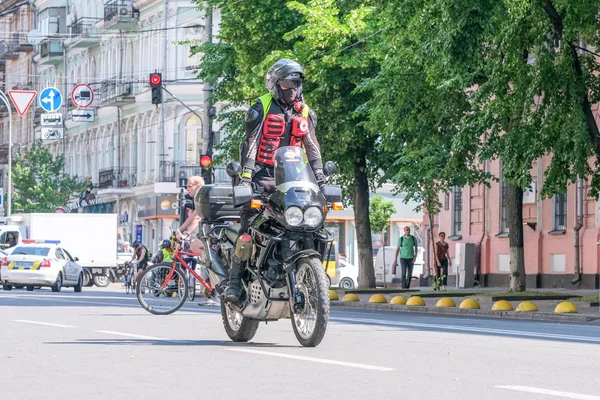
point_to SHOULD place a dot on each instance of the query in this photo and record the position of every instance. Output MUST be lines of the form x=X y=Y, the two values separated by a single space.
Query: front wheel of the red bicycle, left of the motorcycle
x=158 y=296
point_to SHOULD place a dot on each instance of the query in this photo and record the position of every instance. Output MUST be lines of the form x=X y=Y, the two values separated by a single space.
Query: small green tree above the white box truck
x=38 y=182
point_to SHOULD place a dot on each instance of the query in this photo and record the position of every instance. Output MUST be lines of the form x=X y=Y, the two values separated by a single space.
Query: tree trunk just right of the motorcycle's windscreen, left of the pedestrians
x=366 y=274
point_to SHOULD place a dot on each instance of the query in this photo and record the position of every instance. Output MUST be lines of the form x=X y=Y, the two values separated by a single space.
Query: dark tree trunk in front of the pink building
x=514 y=208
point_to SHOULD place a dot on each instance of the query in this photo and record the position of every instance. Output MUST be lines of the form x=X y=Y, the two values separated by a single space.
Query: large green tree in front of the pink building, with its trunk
x=524 y=78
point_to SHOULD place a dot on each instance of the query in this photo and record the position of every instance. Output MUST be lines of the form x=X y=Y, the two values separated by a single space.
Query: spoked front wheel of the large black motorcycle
x=310 y=323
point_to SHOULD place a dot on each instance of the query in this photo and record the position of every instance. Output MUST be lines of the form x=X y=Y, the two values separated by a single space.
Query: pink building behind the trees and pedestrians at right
x=478 y=215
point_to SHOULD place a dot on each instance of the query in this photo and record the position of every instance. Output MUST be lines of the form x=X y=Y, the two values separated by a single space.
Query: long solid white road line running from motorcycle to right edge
x=541 y=335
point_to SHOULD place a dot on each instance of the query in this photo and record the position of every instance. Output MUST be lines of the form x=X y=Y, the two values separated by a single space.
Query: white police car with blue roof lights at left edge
x=41 y=263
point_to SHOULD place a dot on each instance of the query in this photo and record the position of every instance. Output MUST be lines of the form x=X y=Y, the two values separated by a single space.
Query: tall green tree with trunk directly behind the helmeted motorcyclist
x=329 y=38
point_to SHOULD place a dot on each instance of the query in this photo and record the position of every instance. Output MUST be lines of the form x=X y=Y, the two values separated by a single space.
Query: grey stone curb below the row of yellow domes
x=536 y=316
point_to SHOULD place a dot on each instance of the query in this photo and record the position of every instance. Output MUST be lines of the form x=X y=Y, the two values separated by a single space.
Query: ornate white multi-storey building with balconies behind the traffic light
x=133 y=151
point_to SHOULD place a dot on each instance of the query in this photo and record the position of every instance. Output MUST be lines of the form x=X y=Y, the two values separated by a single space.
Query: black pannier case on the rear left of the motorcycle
x=216 y=201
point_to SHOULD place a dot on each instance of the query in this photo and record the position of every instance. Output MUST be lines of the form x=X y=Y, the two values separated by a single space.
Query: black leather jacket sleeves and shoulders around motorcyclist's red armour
x=254 y=123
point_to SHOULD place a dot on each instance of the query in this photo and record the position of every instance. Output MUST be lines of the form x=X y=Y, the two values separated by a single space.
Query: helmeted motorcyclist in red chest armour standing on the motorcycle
x=278 y=118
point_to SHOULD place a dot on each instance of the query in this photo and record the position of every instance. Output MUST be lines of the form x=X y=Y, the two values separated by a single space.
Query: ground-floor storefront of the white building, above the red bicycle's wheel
x=157 y=216
